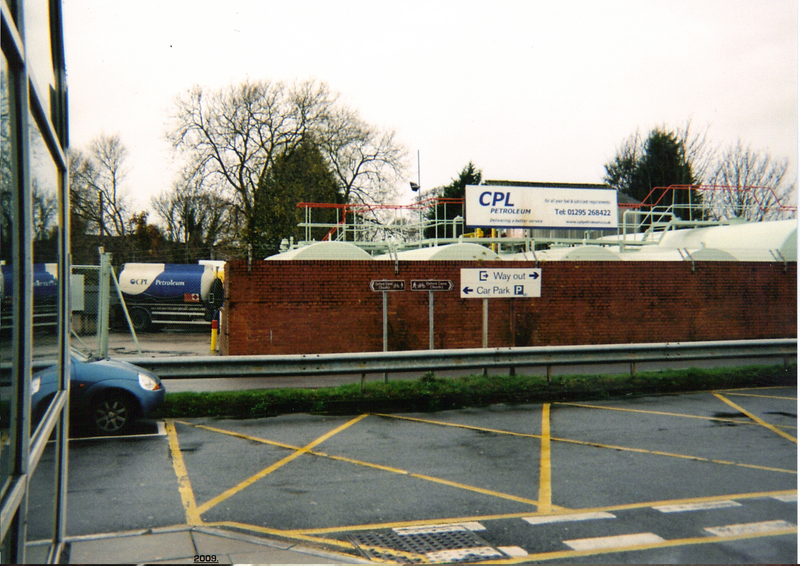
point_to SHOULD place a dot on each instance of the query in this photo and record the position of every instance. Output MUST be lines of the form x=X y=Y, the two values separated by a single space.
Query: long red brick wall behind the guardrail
x=298 y=307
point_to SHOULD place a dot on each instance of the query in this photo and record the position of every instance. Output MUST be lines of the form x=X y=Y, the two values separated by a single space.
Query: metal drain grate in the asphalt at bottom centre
x=439 y=544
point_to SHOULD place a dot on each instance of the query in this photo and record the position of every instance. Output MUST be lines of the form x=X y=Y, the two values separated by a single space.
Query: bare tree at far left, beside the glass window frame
x=96 y=186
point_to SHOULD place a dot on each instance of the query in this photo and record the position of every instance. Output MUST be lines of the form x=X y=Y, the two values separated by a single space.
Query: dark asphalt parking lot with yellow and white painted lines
x=696 y=477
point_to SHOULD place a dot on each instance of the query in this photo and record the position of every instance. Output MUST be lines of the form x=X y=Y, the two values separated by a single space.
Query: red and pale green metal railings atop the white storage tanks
x=381 y=228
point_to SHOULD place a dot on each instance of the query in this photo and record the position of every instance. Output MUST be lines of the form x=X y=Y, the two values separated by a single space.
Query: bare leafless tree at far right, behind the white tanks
x=749 y=184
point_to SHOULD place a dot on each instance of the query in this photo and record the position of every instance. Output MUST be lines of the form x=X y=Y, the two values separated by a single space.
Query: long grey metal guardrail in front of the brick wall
x=491 y=358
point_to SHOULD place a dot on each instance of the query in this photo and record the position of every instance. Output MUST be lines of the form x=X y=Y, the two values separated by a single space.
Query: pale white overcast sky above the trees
x=528 y=90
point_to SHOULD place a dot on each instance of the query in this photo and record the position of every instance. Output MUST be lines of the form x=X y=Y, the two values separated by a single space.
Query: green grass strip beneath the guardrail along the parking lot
x=432 y=393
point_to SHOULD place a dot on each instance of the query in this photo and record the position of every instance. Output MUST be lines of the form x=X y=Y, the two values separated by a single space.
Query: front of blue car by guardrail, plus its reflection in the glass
x=107 y=395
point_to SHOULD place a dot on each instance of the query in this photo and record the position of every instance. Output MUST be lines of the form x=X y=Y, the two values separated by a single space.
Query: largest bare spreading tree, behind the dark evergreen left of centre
x=236 y=134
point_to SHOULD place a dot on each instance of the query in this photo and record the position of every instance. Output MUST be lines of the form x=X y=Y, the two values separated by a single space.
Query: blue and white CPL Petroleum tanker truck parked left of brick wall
x=158 y=294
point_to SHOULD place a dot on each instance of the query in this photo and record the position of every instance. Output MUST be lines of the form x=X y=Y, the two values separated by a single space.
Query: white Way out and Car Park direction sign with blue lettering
x=501 y=283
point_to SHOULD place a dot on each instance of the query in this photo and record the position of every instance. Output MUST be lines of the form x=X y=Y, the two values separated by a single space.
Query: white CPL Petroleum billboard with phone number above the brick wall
x=489 y=206
